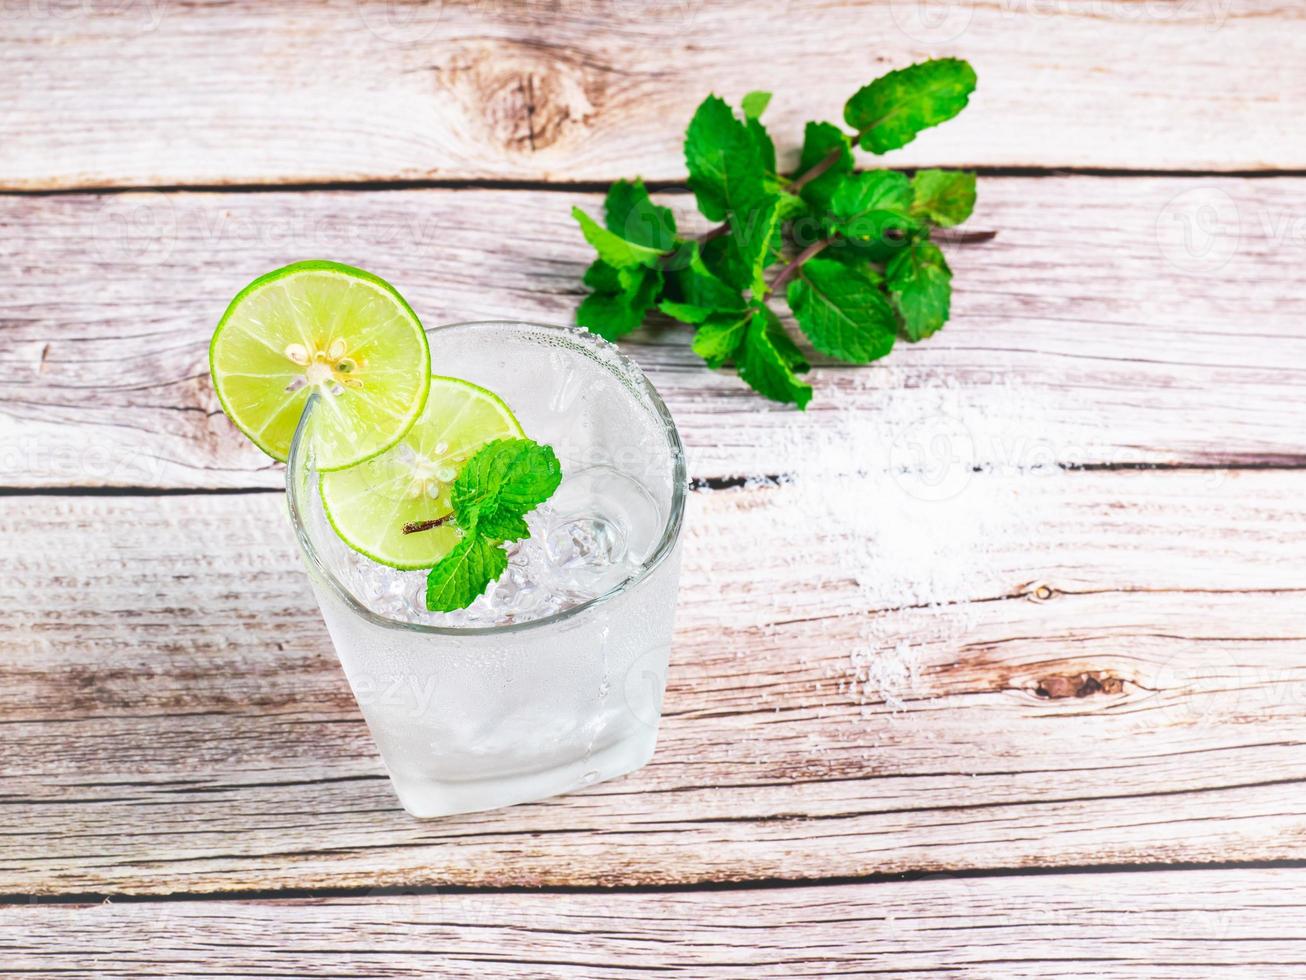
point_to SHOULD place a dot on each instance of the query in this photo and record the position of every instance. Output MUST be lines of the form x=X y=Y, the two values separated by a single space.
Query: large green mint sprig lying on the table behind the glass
x=856 y=262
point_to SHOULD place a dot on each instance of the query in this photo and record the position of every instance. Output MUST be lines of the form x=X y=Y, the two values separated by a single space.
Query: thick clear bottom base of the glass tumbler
x=426 y=799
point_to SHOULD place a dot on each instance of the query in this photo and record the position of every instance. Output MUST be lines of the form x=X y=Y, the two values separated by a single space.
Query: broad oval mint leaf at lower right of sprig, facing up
x=843 y=312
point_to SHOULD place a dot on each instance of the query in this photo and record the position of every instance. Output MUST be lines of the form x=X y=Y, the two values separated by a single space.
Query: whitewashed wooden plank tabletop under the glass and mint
x=993 y=662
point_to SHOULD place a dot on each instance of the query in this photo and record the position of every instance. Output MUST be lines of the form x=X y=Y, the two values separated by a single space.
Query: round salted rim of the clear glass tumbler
x=665 y=546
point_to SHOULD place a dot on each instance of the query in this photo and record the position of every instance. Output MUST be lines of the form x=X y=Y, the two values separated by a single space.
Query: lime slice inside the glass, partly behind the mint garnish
x=369 y=505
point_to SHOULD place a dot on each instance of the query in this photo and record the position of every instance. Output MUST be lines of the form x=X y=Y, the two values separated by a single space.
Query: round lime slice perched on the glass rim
x=330 y=329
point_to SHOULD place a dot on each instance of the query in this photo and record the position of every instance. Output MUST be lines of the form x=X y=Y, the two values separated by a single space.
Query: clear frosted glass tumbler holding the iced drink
x=472 y=717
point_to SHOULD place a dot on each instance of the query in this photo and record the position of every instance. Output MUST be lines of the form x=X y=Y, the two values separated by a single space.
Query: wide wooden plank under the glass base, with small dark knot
x=1106 y=668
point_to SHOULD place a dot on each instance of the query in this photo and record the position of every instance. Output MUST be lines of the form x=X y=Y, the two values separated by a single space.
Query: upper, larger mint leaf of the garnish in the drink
x=505 y=482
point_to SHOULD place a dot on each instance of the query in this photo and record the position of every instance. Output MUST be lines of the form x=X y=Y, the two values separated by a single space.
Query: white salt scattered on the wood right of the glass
x=917 y=505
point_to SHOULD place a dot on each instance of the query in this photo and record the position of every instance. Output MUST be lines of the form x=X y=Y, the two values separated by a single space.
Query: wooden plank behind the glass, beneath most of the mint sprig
x=1086 y=334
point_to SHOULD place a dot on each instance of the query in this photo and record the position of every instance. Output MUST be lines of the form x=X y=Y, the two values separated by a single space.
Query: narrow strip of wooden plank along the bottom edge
x=1156 y=926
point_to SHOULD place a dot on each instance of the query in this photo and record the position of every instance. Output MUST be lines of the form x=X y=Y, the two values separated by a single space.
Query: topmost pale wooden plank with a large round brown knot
x=165 y=93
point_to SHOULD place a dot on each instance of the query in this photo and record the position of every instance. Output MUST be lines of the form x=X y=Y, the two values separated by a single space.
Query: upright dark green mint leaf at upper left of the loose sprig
x=727 y=172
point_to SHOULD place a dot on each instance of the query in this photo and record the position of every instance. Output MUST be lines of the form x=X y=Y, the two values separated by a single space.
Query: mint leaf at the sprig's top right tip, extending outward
x=894 y=109
